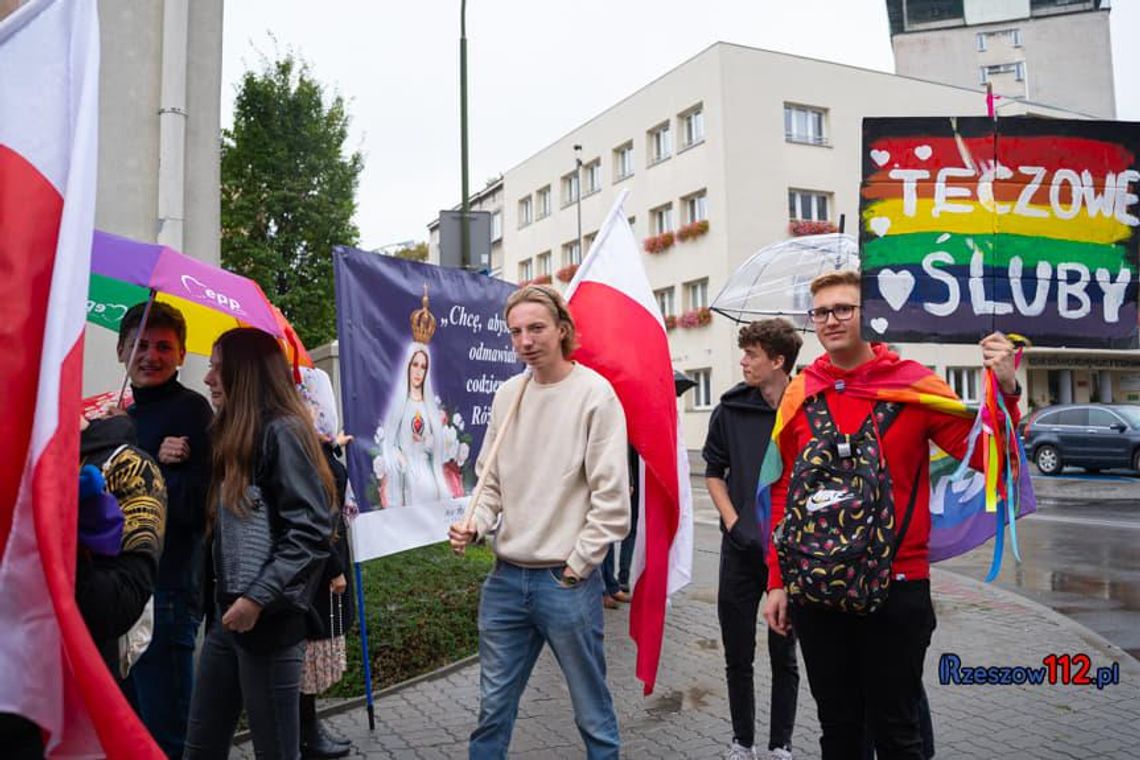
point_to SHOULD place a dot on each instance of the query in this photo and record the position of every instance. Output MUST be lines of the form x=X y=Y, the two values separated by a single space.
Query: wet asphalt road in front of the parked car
x=1081 y=557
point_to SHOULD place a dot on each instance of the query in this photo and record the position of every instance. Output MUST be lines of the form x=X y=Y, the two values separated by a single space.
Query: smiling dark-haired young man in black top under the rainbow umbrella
x=172 y=423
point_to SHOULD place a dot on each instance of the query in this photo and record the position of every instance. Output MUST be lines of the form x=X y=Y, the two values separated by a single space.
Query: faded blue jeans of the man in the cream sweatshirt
x=520 y=610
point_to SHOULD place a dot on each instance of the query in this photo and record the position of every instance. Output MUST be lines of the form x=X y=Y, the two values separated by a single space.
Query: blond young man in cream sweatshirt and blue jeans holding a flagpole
x=556 y=499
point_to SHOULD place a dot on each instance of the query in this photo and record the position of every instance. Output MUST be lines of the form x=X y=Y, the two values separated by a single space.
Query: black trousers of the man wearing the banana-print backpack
x=867 y=673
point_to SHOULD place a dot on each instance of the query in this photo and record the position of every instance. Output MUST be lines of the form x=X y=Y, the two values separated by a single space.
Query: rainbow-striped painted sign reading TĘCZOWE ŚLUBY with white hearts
x=1024 y=226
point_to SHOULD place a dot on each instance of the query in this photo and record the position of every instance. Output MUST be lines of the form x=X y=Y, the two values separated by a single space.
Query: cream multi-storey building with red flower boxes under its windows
x=730 y=152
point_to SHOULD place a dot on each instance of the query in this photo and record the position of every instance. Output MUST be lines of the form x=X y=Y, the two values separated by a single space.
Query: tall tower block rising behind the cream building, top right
x=1055 y=52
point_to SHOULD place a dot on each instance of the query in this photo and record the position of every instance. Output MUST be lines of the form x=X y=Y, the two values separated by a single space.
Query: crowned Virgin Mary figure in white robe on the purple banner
x=412 y=438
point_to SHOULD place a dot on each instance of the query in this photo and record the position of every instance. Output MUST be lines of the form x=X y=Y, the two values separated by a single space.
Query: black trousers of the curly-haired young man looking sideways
x=744 y=582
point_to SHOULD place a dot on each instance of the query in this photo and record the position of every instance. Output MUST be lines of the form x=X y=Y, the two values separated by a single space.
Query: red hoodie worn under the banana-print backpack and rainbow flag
x=906 y=450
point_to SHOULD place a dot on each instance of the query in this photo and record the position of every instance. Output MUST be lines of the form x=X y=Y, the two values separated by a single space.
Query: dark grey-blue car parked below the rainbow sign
x=1092 y=436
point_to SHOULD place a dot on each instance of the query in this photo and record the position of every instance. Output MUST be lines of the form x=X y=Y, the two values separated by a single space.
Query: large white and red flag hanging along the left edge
x=51 y=671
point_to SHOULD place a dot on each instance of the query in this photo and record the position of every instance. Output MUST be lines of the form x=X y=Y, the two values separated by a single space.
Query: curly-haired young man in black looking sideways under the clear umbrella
x=738 y=437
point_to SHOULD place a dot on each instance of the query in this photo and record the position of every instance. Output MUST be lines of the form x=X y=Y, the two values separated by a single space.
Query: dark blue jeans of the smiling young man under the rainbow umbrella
x=161 y=682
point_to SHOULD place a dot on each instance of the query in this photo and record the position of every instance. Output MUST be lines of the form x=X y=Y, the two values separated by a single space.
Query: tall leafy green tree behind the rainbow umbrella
x=289 y=192
